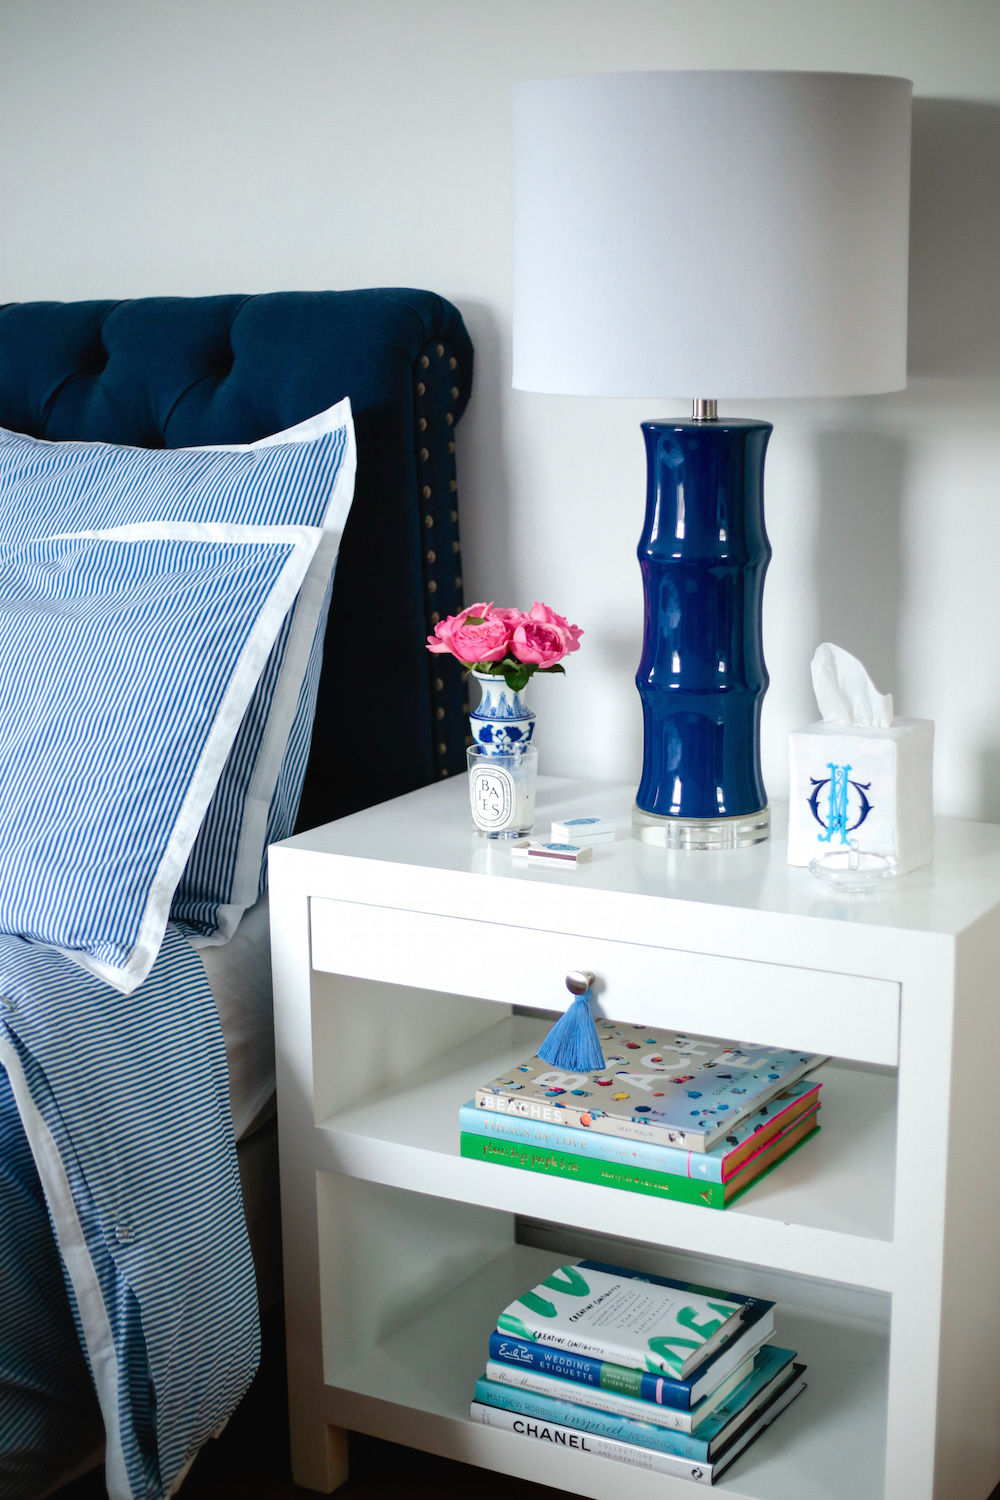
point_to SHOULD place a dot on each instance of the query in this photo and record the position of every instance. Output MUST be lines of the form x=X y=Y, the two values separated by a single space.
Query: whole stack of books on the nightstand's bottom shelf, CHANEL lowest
x=644 y=1370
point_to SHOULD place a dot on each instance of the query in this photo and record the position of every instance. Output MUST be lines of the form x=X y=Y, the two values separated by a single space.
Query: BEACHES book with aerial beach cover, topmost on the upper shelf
x=662 y=1088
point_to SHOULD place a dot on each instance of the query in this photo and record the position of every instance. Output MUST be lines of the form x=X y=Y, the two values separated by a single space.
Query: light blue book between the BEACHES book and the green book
x=551 y=1132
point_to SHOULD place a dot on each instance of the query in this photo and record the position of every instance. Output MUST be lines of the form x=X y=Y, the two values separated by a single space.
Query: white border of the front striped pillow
x=305 y=544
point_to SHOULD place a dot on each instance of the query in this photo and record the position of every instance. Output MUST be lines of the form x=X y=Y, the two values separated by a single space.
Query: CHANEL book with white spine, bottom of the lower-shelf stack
x=633 y=1454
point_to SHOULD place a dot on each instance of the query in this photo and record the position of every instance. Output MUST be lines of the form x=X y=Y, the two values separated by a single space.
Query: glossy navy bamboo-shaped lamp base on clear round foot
x=702 y=677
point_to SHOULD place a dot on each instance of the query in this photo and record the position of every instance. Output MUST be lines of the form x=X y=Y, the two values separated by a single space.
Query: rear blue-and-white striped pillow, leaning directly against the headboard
x=304 y=476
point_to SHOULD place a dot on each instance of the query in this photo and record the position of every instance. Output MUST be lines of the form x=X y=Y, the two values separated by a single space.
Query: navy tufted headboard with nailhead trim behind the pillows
x=190 y=371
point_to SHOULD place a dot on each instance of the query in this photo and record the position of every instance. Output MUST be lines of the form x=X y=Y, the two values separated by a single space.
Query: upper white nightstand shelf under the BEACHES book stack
x=833 y=1195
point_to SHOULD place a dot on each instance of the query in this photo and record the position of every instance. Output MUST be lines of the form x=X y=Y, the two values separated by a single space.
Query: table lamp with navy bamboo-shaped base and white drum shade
x=735 y=235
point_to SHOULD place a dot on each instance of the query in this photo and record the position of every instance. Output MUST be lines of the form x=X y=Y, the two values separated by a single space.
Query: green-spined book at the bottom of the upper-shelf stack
x=611 y=1174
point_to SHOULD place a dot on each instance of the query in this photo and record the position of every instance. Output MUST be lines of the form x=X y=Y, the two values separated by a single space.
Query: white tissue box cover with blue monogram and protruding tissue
x=860 y=773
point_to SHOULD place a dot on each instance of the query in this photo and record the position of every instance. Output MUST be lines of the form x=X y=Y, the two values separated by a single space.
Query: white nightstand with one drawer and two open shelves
x=401 y=944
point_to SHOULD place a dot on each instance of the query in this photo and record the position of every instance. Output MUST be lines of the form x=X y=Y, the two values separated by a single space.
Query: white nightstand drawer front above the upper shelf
x=846 y=1016
